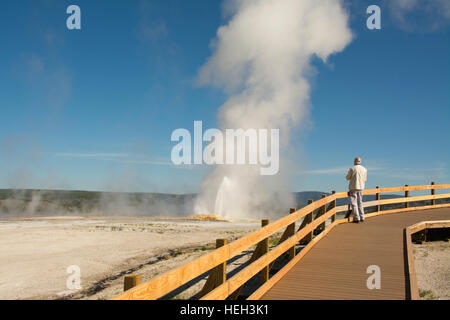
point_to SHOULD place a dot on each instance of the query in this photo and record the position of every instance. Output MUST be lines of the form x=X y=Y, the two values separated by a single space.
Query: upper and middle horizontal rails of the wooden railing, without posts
x=173 y=279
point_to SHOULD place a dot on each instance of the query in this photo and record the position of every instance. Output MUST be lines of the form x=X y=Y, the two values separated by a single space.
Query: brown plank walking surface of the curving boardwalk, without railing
x=335 y=268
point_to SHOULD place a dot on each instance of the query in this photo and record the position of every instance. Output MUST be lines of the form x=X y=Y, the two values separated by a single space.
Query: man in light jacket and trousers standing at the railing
x=357 y=175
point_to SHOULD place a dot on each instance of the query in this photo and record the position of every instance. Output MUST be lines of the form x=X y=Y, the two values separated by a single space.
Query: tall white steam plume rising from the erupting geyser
x=261 y=59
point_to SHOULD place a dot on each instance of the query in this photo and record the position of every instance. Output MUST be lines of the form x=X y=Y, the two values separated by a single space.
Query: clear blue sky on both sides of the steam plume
x=94 y=109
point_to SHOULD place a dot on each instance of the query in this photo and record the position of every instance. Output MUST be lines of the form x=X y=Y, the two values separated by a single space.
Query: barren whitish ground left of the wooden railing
x=35 y=253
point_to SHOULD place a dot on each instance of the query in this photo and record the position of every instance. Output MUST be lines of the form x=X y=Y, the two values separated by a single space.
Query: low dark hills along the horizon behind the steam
x=49 y=202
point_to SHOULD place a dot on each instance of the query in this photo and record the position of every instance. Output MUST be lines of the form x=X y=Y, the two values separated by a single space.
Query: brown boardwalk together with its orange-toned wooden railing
x=331 y=266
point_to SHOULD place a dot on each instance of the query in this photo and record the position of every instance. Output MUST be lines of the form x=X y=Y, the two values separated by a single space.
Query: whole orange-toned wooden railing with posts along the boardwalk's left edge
x=312 y=228
